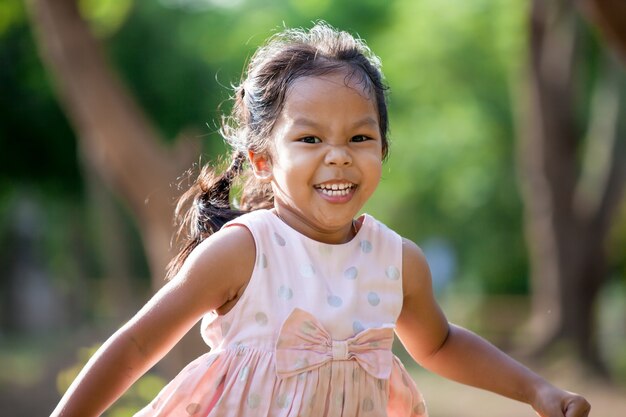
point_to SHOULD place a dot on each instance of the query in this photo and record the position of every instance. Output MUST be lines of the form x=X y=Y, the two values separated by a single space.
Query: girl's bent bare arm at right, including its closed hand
x=461 y=355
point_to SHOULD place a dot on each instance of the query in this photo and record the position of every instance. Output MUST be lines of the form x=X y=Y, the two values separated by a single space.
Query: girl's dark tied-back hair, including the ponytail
x=258 y=101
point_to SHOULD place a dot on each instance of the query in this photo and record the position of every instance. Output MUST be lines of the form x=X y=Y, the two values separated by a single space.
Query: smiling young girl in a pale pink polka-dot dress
x=299 y=299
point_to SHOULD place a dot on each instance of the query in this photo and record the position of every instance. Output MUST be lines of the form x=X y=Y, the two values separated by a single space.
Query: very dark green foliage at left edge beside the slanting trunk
x=38 y=147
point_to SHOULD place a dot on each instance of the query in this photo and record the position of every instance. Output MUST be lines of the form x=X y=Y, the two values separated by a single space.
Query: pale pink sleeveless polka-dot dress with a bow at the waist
x=310 y=336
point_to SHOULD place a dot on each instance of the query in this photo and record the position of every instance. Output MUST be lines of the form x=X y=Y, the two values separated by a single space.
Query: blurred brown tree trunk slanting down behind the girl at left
x=115 y=137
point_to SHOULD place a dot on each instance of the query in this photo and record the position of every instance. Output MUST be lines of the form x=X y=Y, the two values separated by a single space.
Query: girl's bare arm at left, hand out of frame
x=215 y=273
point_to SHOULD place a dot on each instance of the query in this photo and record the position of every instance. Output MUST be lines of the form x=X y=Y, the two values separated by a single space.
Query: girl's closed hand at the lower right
x=554 y=402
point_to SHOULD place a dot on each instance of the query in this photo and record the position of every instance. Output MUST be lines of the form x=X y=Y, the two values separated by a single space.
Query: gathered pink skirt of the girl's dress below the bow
x=243 y=382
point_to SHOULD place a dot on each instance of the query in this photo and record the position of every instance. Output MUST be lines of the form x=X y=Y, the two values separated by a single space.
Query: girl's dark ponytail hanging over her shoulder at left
x=204 y=208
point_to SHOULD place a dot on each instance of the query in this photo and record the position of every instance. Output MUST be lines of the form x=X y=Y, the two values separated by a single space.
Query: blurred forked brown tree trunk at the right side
x=568 y=205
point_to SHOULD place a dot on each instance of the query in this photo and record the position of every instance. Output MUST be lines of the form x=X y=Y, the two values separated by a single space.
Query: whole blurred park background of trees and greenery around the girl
x=507 y=166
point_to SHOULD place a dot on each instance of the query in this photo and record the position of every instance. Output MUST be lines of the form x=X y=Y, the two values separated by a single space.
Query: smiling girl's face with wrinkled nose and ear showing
x=326 y=158
